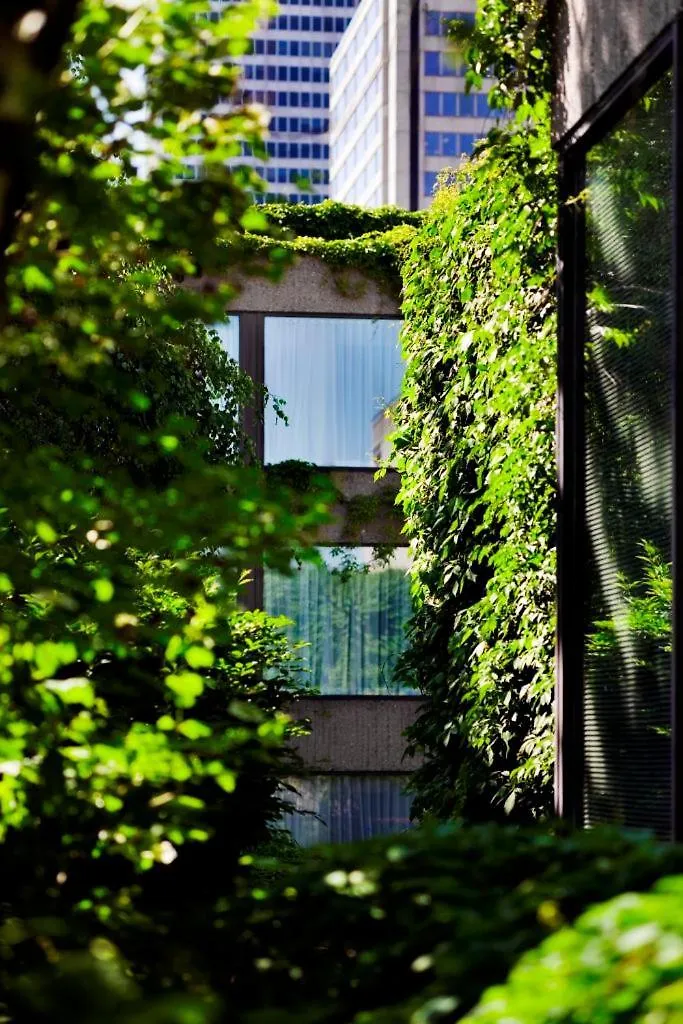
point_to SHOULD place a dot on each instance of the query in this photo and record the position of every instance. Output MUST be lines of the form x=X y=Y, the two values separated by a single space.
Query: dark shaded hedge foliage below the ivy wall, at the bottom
x=414 y=928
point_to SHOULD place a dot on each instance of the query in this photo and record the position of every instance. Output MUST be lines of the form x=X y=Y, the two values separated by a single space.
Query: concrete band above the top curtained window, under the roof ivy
x=310 y=286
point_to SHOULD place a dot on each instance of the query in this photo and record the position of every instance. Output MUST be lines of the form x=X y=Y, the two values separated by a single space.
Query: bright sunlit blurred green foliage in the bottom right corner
x=622 y=962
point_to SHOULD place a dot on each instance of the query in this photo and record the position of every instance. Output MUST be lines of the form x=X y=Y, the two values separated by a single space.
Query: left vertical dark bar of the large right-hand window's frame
x=571 y=532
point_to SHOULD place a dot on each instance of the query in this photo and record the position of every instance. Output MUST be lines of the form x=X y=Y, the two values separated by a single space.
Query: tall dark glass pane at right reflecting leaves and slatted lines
x=629 y=470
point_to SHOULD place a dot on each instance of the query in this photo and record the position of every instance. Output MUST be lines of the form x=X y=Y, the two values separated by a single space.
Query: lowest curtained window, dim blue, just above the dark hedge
x=348 y=808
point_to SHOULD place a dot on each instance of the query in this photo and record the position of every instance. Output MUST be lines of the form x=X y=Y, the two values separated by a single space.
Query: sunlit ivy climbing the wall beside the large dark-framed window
x=475 y=448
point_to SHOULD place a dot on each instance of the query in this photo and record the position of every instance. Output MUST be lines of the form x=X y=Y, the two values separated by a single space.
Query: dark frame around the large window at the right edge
x=666 y=54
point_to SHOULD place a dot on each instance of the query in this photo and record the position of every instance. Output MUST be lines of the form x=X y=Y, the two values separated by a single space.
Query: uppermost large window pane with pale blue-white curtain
x=335 y=375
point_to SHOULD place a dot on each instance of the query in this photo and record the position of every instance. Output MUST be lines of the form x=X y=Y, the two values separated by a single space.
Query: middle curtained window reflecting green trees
x=352 y=610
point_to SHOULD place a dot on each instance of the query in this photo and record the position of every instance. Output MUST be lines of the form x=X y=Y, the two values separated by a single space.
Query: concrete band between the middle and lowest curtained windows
x=357 y=735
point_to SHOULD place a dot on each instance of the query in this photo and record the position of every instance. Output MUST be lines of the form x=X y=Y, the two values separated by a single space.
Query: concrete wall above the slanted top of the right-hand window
x=596 y=40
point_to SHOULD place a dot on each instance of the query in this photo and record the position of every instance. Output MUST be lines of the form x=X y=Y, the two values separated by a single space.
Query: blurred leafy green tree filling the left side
x=143 y=731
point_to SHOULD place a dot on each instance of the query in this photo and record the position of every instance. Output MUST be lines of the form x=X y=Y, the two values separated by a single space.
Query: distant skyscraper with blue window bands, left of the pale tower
x=288 y=72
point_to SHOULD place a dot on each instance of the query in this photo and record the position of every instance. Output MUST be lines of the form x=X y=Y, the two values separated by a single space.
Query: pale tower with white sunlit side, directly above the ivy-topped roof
x=400 y=113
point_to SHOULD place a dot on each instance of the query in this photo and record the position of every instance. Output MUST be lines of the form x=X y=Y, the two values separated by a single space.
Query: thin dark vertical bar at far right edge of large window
x=677 y=497
